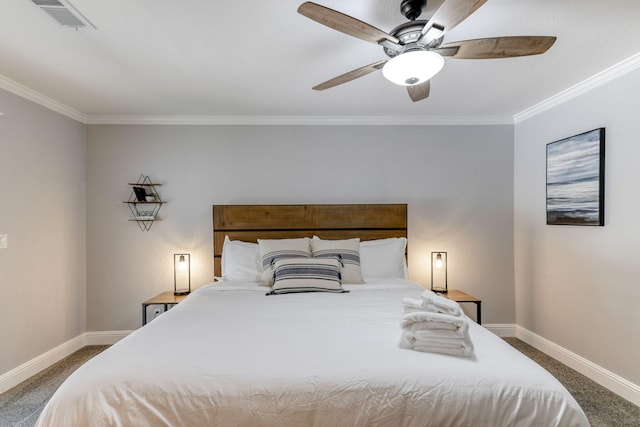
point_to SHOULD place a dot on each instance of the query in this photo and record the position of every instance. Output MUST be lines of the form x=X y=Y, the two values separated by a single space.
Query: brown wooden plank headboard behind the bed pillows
x=252 y=222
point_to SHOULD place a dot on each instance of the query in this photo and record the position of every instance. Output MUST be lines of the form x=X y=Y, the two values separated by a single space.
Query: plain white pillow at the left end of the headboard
x=240 y=261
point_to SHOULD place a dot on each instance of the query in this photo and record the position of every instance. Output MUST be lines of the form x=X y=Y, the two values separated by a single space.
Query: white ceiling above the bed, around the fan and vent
x=260 y=58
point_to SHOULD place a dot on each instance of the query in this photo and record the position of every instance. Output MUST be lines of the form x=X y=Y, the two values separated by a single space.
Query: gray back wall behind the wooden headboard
x=457 y=181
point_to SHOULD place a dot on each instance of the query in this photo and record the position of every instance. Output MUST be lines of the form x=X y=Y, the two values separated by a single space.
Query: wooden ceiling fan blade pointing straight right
x=500 y=47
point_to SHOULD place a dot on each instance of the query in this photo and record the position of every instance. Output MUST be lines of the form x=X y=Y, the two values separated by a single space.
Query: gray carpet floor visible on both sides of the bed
x=21 y=405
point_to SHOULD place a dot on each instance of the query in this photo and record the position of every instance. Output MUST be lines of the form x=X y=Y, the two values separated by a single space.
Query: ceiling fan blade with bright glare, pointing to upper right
x=447 y=16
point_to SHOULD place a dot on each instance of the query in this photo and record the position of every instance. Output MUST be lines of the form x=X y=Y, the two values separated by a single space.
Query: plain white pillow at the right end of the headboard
x=384 y=258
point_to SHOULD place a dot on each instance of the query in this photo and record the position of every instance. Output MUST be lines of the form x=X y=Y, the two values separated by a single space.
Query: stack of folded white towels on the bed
x=435 y=324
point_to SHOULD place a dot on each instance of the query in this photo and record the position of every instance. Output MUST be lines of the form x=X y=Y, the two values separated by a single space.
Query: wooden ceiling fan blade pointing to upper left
x=344 y=23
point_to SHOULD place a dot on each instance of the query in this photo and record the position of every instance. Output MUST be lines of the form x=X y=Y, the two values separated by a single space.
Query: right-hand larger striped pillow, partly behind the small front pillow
x=347 y=251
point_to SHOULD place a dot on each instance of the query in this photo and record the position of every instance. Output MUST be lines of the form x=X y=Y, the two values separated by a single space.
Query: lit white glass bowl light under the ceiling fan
x=413 y=67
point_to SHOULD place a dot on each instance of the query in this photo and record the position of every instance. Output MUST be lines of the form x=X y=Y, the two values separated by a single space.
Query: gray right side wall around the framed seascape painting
x=578 y=286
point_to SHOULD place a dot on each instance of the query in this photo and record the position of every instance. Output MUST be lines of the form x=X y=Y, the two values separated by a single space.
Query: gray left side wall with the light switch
x=42 y=209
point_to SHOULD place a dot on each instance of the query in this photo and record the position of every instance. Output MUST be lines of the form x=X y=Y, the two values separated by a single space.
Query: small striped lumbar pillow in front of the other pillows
x=306 y=275
